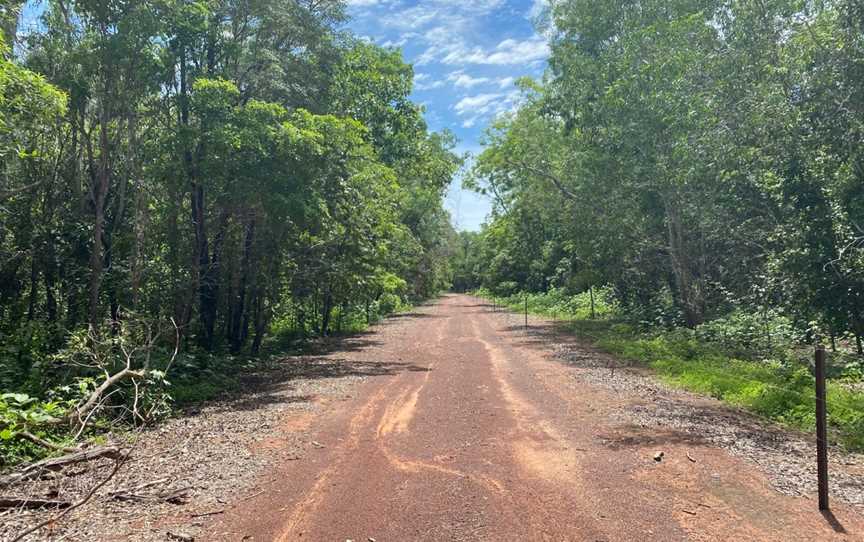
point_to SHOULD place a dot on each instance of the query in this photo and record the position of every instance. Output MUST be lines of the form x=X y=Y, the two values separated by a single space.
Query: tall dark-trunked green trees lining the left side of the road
x=233 y=167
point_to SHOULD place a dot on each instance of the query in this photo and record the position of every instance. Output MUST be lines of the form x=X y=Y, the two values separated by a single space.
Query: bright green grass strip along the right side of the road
x=780 y=389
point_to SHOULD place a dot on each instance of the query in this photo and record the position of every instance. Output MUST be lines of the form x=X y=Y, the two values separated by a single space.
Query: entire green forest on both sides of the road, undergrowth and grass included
x=189 y=186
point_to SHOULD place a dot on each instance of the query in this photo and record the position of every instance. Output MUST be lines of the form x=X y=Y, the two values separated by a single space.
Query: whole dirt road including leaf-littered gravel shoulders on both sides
x=454 y=423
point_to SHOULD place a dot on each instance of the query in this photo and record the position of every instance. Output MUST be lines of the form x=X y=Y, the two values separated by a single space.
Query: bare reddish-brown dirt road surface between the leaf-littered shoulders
x=481 y=435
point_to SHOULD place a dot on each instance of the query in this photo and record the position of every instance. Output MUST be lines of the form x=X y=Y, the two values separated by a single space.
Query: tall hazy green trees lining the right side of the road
x=702 y=157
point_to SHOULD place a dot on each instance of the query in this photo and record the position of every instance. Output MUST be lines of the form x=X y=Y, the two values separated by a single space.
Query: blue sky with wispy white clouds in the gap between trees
x=466 y=56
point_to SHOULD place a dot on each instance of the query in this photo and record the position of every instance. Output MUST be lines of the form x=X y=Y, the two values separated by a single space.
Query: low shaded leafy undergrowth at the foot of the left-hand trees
x=173 y=383
